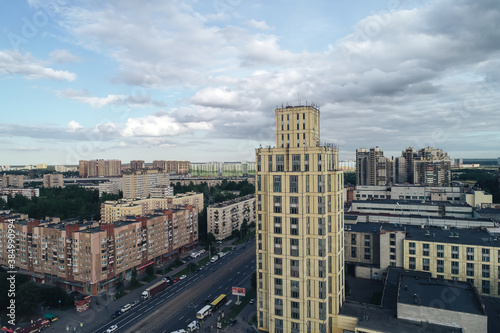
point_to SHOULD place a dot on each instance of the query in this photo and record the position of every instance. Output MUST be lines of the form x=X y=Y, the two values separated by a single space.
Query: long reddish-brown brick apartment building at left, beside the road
x=90 y=258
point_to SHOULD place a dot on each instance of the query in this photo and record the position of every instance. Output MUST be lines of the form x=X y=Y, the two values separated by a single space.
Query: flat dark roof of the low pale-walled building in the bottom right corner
x=449 y=295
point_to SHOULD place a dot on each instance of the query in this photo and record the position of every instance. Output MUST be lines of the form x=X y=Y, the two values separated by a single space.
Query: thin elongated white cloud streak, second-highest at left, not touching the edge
x=82 y=96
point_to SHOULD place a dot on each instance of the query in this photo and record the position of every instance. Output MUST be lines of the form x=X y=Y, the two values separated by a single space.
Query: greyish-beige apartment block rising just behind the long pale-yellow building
x=139 y=183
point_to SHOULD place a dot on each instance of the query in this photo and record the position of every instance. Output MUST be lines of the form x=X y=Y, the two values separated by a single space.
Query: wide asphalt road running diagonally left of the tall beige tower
x=175 y=307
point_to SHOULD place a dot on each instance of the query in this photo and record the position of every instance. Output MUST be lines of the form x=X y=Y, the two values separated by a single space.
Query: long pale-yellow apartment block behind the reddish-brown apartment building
x=115 y=210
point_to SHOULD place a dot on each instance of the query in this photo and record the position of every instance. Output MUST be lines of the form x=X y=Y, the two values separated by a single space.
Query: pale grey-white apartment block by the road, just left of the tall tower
x=227 y=216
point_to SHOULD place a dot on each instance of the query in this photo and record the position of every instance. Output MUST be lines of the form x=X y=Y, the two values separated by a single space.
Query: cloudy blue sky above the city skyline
x=200 y=80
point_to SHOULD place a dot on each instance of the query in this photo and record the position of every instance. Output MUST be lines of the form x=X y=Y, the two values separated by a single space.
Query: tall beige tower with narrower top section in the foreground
x=300 y=227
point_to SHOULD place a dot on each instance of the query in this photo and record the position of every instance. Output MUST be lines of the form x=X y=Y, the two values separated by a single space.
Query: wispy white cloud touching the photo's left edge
x=14 y=63
